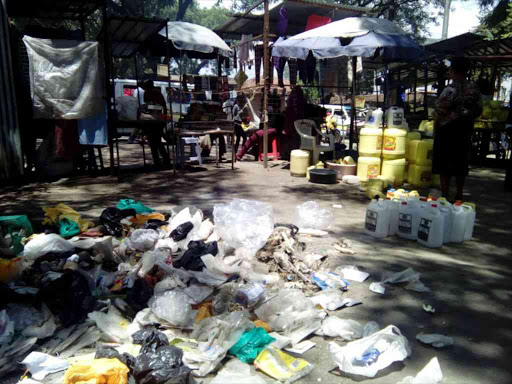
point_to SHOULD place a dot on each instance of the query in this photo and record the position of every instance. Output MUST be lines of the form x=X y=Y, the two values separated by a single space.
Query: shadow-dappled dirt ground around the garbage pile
x=470 y=282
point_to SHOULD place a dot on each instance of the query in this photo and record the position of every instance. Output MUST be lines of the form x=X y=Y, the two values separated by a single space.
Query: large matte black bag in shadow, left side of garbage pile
x=68 y=297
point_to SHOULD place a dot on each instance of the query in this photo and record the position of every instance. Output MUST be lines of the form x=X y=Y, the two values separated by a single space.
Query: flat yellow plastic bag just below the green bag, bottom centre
x=282 y=366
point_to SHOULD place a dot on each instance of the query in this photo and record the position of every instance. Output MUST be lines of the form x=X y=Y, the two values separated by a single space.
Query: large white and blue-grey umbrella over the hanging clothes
x=375 y=37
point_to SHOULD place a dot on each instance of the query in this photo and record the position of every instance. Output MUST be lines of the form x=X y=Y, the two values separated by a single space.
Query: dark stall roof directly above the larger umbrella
x=298 y=14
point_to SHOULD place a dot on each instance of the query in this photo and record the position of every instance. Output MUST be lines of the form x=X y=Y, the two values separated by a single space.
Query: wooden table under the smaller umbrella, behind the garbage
x=201 y=128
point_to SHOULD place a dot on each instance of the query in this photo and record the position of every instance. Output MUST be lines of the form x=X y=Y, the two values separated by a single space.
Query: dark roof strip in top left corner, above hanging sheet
x=53 y=9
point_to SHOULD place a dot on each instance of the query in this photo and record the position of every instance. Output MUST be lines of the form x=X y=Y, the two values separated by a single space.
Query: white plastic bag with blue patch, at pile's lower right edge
x=369 y=355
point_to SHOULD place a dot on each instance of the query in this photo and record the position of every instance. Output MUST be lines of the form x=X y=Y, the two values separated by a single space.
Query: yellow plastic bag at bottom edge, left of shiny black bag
x=100 y=371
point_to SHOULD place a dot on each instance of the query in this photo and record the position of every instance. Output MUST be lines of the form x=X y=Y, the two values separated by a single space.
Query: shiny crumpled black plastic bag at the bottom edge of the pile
x=158 y=362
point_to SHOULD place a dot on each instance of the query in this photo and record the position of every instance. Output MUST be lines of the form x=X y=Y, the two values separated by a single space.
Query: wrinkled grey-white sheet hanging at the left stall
x=64 y=78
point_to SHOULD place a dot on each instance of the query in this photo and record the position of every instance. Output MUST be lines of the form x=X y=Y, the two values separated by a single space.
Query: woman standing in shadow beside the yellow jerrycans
x=457 y=108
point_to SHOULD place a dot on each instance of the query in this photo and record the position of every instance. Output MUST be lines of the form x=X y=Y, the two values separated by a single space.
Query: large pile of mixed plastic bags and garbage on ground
x=159 y=297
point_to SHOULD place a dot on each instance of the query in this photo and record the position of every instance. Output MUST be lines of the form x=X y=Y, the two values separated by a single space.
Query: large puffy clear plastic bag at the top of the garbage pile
x=244 y=223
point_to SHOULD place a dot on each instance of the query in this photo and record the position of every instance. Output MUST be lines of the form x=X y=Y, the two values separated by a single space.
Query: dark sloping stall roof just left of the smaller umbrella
x=129 y=33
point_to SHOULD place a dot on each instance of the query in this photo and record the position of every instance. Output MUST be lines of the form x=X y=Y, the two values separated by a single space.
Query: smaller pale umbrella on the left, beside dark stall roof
x=192 y=37
